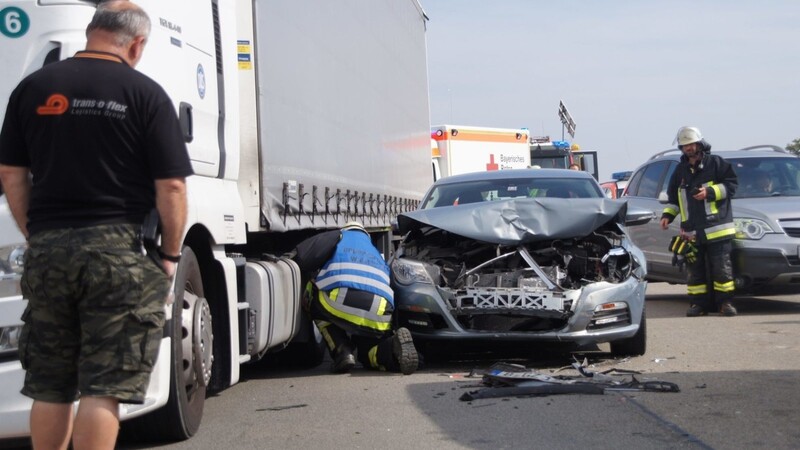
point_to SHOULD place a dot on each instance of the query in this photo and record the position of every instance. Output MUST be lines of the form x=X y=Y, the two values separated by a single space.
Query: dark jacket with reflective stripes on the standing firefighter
x=711 y=219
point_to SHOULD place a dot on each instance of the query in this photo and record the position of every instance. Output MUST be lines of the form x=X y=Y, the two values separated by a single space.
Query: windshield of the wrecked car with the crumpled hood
x=449 y=194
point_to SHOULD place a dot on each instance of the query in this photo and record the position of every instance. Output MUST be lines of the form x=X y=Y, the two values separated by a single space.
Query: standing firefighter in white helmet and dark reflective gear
x=700 y=190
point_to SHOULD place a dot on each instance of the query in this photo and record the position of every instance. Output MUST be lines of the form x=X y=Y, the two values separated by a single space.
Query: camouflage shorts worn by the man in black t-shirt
x=95 y=314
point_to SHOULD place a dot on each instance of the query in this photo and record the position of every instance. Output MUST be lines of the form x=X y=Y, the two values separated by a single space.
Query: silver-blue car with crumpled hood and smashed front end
x=520 y=256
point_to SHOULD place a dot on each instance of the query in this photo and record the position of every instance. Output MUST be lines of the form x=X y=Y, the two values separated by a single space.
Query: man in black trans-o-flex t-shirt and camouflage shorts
x=88 y=147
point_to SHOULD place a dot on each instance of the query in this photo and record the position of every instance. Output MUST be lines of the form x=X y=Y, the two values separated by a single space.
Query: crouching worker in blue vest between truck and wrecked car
x=349 y=298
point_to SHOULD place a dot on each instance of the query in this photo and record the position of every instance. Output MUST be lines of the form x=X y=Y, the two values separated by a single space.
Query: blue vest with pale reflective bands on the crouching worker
x=357 y=264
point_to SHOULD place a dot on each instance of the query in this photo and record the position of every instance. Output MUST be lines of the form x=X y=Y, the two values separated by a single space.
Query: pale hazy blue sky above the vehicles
x=630 y=72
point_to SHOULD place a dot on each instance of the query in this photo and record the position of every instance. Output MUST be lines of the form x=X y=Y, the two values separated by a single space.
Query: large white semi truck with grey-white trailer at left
x=299 y=116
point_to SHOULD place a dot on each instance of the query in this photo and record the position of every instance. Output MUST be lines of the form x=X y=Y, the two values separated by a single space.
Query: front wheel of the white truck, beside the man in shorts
x=190 y=329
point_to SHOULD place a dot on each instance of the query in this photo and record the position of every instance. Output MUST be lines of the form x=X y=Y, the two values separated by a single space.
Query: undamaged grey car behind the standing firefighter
x=765 y=210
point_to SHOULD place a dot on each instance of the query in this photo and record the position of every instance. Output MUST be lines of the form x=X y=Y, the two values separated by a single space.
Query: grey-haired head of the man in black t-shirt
x=120 y=27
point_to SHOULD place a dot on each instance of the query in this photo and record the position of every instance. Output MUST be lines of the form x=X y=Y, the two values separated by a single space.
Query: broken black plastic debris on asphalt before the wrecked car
x=512 y=380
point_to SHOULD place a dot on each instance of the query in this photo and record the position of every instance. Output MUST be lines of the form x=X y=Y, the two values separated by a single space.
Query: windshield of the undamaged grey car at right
x=767 y=177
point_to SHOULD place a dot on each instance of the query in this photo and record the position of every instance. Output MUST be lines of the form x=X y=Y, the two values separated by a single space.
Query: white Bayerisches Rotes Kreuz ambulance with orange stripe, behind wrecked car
x=461 y=149
